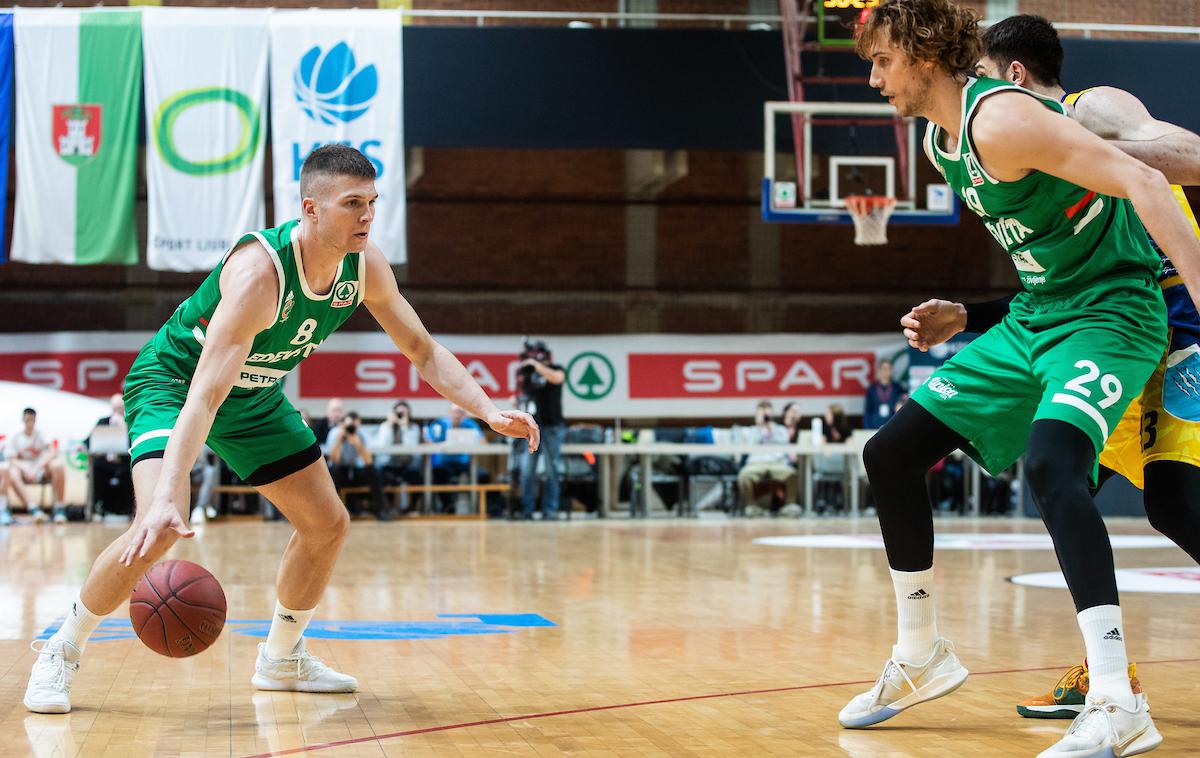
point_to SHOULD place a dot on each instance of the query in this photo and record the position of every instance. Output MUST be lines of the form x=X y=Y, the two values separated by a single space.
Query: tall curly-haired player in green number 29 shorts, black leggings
x=1052 y=381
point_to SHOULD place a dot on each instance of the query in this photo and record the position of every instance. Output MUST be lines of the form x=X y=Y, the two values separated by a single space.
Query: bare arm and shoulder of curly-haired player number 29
x=1015 y=135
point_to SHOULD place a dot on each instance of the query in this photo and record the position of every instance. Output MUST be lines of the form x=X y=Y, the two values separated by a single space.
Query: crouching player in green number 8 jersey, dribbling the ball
x=213 y=375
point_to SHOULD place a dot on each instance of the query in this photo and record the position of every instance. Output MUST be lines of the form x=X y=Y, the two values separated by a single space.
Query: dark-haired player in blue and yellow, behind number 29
x=1157 y=444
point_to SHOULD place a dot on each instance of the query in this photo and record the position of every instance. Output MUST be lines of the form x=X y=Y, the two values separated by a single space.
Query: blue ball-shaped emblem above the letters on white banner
x=332 y=88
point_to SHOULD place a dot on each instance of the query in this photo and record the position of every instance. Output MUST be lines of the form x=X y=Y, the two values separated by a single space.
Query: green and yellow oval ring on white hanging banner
x=235 y=157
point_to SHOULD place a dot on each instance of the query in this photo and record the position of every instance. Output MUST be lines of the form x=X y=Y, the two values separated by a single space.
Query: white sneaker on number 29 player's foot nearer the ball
x=903 y=685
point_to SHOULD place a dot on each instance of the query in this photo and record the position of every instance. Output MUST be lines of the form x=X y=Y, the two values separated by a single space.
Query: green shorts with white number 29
x=1081 y=358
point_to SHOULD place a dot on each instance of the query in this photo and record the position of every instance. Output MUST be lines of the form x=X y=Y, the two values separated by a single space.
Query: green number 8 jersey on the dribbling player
x=303 y=320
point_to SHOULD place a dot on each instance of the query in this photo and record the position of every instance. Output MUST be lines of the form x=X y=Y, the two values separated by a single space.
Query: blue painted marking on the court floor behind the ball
x=472 y=624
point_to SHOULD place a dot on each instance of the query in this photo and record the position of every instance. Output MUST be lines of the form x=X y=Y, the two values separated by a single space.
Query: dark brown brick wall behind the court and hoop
x=549 y=243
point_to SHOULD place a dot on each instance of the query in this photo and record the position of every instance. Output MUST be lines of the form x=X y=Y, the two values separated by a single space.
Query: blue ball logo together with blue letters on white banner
x=334 y=91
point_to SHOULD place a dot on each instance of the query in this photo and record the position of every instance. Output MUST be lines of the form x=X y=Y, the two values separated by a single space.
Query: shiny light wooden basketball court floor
x=668 y=639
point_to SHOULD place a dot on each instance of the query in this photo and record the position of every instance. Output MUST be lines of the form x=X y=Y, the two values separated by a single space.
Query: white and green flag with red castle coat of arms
x=79 y=81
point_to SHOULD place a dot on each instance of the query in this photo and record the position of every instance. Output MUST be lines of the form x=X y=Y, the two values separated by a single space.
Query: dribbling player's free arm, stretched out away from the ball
x=436 y=365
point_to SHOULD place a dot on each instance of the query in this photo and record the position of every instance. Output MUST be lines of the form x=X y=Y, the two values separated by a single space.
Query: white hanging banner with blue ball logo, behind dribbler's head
x=337 y=79
